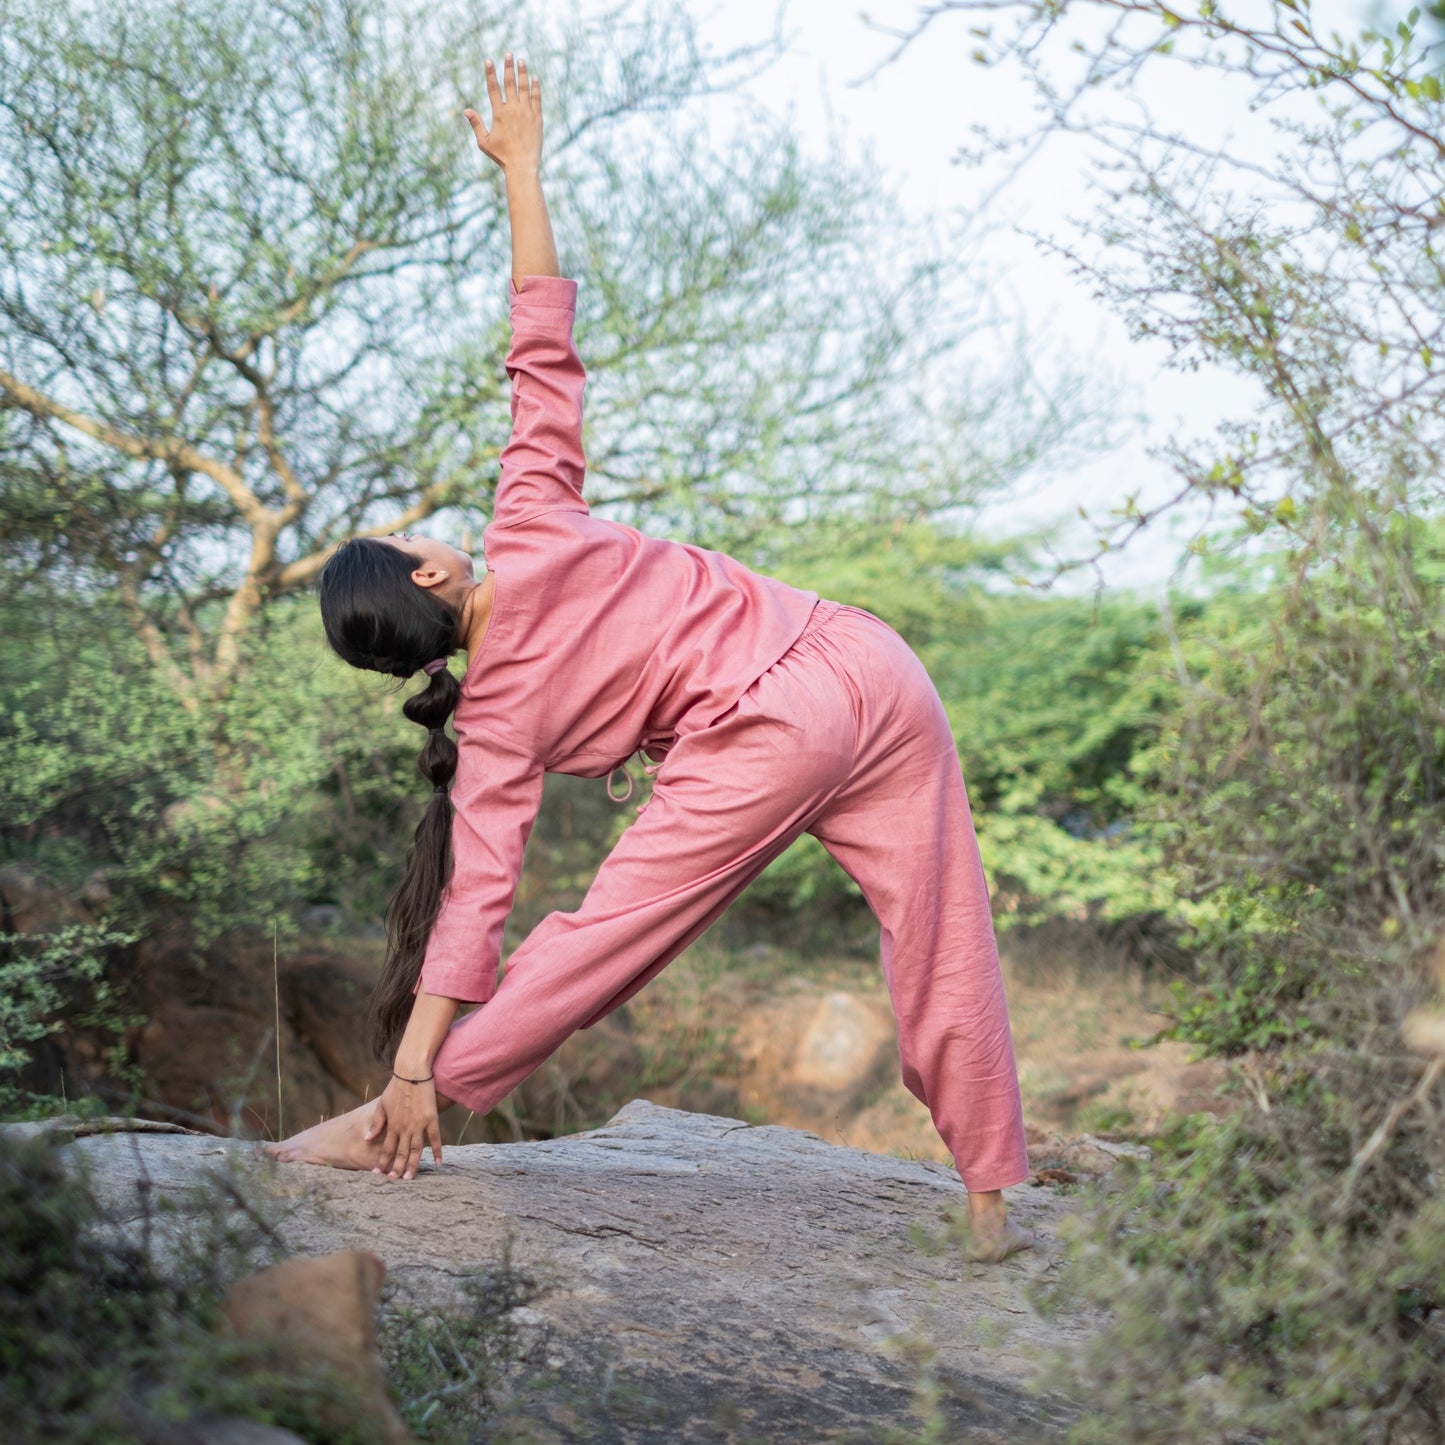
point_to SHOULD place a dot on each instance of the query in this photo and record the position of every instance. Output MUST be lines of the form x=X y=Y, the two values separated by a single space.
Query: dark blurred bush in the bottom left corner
x=102 y=1343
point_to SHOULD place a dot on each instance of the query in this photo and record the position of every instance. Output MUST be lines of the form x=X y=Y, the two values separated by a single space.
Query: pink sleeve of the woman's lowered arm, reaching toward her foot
x=496 y=797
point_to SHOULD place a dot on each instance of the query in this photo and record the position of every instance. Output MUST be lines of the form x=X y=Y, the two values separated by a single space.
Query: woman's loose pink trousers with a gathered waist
x=843 y=738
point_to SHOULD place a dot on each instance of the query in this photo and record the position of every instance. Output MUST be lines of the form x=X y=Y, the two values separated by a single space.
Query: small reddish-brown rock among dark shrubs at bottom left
x=323 y=1313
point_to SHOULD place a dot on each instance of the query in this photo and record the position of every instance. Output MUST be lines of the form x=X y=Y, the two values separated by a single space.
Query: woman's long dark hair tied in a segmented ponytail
x=378 y=618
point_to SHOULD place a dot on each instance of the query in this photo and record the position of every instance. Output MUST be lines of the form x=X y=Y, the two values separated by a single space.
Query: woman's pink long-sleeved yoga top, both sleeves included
x=602 y=642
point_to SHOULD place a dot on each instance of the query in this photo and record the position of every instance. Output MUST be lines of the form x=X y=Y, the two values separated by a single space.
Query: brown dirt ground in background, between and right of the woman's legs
x=813 y=1047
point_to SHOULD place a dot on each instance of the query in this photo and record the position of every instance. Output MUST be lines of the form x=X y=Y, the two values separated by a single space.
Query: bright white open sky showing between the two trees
x=908 y=119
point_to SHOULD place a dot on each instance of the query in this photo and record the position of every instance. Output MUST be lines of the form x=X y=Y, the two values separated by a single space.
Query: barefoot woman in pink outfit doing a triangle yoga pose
x=772 y=715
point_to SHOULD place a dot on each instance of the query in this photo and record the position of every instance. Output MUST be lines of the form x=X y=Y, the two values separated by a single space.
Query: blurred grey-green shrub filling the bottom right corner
x=1255 y=1294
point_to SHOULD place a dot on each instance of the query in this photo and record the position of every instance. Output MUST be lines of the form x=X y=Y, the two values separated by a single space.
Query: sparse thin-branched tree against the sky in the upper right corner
x=1311 y=265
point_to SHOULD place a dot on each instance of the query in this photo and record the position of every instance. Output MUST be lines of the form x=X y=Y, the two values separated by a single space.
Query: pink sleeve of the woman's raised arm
x=543 y=463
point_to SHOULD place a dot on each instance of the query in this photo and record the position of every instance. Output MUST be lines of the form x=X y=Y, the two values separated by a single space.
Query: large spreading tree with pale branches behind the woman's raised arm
x=252 y=281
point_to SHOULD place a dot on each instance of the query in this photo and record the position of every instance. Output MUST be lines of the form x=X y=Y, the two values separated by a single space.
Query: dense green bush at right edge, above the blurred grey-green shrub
x=1308 y=810
